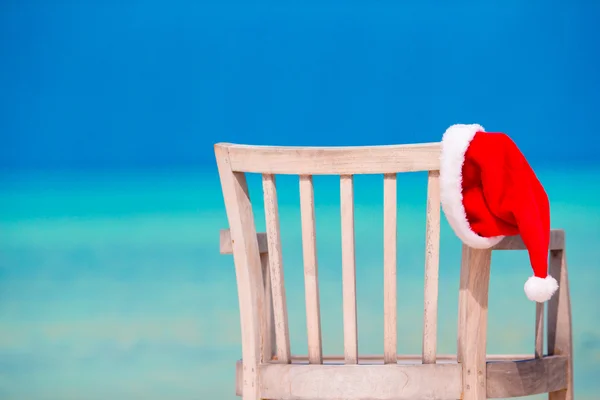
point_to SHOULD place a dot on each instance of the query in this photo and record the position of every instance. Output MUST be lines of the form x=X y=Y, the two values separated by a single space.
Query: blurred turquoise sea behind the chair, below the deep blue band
x=112 y=285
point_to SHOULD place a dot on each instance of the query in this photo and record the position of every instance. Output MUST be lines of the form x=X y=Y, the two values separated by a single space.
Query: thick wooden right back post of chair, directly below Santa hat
x=475 y=332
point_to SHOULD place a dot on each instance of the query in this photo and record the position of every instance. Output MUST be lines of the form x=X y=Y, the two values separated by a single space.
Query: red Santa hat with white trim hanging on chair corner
x=488 y=191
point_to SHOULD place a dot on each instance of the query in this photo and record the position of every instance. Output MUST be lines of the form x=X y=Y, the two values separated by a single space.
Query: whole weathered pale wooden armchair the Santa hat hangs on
x=268 y=370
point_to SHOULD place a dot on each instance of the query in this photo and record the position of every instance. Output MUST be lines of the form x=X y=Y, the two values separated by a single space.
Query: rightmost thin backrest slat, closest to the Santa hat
x=432 y=258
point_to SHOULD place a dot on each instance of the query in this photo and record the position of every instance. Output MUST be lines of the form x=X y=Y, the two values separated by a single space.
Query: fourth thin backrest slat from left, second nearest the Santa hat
x=390 y=302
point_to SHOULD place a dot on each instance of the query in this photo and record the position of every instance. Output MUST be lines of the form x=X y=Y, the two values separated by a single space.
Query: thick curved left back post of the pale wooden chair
x=247 y=267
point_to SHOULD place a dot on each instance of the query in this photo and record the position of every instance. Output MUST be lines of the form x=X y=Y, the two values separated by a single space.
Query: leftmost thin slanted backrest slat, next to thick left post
x=280 y=316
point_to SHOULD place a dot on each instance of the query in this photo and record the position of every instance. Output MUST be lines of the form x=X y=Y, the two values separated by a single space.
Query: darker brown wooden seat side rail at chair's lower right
x=526 y=378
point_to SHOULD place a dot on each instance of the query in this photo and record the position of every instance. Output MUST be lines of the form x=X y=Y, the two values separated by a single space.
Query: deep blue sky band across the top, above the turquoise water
x=150 y=84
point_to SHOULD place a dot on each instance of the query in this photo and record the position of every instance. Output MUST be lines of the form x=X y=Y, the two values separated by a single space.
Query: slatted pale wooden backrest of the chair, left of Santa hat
x=234 y=161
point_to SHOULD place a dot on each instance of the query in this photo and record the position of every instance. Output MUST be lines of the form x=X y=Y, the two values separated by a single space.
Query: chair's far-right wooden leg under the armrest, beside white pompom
x=560 y=339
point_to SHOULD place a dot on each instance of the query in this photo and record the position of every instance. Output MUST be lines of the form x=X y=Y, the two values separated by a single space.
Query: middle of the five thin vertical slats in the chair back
x=348 y=270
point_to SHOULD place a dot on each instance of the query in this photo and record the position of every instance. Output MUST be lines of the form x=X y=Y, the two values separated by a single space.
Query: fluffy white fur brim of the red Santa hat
x=455 y=143
